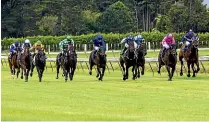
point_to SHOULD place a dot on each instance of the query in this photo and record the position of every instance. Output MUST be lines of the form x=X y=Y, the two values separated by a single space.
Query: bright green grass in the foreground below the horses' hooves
x=86 y=98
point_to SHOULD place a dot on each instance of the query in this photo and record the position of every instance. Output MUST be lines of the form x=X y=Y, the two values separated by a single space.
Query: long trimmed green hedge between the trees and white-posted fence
x=109 y=38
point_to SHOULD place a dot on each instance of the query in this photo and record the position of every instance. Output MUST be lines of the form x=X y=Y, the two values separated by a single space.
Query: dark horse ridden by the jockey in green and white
x=70 y=61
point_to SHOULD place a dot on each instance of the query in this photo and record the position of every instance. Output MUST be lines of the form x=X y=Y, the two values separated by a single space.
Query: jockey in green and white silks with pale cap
x=63 y=45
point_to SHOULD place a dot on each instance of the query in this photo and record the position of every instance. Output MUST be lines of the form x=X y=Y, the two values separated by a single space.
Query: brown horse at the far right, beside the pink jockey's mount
x=190 y=56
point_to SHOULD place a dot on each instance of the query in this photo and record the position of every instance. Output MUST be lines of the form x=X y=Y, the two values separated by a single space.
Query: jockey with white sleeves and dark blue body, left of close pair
x=126 y=41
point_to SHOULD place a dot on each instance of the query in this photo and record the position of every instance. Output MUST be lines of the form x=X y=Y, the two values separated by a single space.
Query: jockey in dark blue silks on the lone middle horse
x=98 y=42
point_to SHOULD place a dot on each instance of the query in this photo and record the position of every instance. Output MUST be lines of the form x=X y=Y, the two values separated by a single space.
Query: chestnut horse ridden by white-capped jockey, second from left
x=26 y=63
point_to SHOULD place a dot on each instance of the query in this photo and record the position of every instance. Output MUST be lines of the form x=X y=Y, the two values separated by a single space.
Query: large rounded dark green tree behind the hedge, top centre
x=117 y=18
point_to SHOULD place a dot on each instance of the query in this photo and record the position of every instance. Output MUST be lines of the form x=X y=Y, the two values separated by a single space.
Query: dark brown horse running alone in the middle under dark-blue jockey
x=100 y=61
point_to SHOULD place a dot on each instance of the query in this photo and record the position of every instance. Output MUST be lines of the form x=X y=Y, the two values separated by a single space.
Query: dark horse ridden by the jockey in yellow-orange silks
x=40 y=63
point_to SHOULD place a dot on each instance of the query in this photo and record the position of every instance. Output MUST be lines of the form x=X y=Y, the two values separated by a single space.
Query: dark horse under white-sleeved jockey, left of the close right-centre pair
x=129 y=59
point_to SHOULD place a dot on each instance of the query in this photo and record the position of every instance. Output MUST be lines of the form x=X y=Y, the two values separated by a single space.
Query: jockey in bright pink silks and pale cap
x=166 y=42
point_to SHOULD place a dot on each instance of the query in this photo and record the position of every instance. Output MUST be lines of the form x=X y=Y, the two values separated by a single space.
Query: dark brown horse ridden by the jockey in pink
x=169 y=60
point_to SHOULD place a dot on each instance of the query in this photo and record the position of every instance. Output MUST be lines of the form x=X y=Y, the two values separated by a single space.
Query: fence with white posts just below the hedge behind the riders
x=114 y=46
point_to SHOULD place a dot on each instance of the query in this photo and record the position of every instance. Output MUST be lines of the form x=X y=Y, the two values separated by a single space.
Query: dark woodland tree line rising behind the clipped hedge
x=21 y=18
